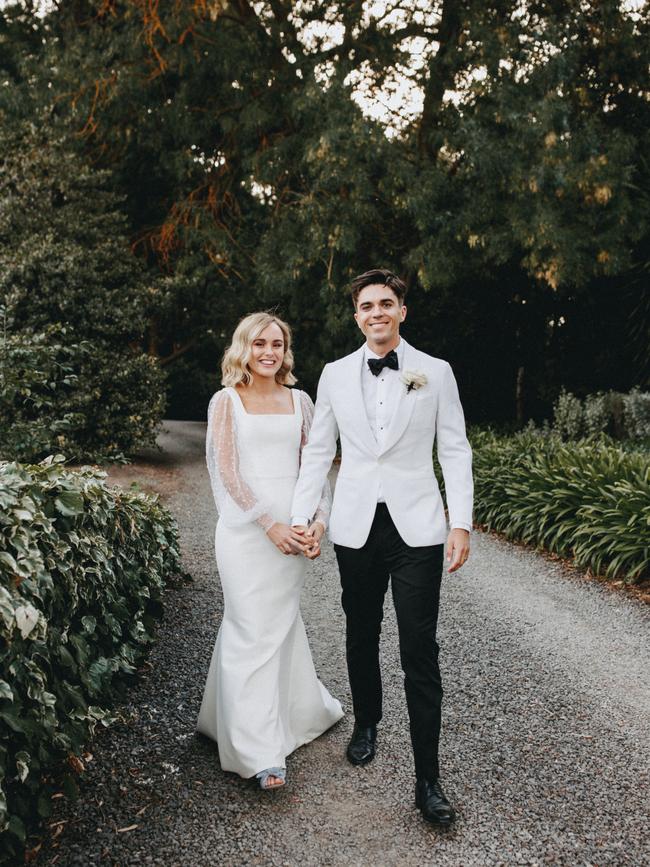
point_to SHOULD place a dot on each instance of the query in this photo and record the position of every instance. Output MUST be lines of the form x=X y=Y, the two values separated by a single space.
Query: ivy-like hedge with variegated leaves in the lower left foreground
x=82 y=571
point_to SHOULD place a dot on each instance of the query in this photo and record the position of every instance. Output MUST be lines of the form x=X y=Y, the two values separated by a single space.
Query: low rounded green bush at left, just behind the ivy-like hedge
x=82 y=399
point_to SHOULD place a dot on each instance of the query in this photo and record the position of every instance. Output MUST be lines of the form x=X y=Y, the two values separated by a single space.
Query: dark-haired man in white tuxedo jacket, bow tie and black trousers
x=387 y=402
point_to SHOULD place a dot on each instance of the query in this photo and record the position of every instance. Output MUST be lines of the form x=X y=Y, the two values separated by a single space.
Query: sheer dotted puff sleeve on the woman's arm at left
x=236 y=501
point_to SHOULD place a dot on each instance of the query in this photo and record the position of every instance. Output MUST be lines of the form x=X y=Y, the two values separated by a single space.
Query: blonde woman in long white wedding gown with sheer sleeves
x=262 y=698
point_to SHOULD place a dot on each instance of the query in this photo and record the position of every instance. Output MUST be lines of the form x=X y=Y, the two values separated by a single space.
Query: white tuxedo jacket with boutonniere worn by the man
x=404 y=466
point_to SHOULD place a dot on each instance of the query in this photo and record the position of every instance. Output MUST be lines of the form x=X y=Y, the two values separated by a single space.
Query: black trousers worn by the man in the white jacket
x=415 y=574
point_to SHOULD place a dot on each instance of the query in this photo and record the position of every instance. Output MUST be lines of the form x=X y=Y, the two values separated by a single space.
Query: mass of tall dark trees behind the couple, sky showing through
x=252 y=175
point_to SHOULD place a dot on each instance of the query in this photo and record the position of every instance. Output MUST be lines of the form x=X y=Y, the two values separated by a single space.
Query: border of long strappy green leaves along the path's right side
x=589 y=499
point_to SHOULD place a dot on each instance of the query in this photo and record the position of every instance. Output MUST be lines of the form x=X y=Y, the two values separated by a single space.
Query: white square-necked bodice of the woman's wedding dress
x=270 y=442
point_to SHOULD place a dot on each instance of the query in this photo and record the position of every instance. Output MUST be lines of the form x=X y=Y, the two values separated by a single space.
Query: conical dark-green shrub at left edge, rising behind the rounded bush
x=64 y=256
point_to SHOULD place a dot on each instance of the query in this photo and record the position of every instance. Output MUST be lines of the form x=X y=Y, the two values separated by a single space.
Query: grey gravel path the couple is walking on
x=545 y=729
